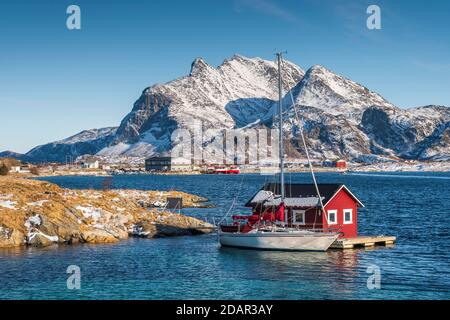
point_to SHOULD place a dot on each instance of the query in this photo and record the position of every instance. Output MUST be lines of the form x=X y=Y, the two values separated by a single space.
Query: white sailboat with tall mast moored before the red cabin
x=275 y=233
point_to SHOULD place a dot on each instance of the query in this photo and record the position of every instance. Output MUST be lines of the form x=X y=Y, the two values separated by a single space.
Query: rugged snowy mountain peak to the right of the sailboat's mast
x=346 y=120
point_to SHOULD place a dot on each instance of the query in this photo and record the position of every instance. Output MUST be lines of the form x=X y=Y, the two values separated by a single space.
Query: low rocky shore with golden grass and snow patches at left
x=39 y=213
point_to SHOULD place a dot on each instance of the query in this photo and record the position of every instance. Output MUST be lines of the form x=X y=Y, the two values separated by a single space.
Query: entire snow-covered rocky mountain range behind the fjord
x=342 y=119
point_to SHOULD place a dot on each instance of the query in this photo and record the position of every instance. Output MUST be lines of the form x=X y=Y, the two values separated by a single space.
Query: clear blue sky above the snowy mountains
x=55 y=82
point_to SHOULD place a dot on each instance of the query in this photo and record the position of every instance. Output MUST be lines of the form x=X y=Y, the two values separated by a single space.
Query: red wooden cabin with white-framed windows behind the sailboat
x=303 y=208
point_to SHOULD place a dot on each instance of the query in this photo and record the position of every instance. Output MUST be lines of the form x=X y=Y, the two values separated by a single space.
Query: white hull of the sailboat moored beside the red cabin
x=281 y=241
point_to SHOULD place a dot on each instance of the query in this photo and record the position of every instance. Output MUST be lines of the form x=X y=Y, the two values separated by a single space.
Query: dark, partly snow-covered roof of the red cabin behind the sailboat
x=297 y=195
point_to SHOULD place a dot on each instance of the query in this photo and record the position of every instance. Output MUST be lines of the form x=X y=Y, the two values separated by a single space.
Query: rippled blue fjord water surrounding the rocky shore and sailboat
x=415 y=207
